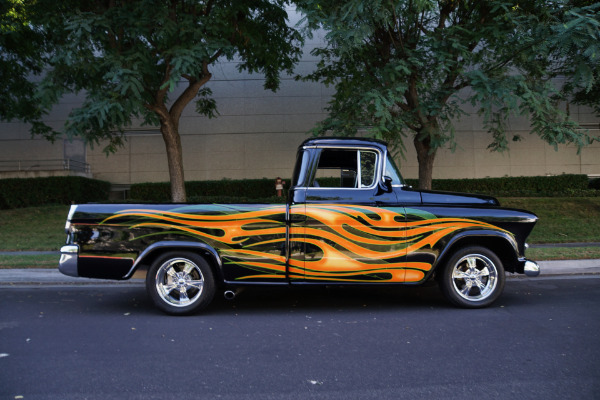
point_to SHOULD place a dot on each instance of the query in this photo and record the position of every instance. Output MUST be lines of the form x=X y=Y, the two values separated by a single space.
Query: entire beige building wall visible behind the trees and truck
x=258 y=132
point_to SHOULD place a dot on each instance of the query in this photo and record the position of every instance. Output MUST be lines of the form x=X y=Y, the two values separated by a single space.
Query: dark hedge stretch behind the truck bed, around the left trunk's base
x=227 y=191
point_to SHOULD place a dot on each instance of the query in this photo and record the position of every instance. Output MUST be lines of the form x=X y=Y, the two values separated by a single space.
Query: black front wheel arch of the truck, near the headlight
x=502 y=244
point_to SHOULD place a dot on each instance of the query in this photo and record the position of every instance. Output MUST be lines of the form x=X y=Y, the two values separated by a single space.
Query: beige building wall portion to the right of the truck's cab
x=529 y=157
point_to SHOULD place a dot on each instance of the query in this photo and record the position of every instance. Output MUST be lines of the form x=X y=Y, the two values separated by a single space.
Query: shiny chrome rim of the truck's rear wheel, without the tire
x=179 y=282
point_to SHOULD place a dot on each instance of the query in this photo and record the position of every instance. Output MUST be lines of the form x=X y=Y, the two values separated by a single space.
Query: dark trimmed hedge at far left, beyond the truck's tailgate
x=28 y=192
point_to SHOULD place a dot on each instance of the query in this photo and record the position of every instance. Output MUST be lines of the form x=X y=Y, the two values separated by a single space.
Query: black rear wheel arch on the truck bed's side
x=152 y=252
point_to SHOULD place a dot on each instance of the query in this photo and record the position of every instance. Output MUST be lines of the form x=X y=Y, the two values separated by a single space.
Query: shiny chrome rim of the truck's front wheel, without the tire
x=474 y=277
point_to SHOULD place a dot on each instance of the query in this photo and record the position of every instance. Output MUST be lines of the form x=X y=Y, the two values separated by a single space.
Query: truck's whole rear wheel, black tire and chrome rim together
x=180 y=283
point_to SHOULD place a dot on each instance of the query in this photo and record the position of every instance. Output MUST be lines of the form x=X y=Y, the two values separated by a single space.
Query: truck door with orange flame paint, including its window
x=352 y=228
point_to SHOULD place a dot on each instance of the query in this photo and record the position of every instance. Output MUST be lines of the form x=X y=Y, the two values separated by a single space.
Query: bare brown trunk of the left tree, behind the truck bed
x=174 y=159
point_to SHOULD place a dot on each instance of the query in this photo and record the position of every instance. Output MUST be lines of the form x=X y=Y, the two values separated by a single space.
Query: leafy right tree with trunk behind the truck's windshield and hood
x=404 y=69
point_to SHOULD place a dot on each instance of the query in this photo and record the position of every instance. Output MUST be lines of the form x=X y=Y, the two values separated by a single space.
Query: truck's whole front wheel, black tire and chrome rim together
x=473 y=277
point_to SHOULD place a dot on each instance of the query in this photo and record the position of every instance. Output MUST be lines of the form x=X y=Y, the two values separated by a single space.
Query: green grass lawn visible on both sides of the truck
x=562 y=220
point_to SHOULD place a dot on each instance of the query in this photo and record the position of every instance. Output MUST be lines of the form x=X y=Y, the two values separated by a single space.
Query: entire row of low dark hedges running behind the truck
x=17 y=192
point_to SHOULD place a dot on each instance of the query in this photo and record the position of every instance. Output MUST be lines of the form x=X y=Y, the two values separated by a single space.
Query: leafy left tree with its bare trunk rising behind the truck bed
x=146 y=60
